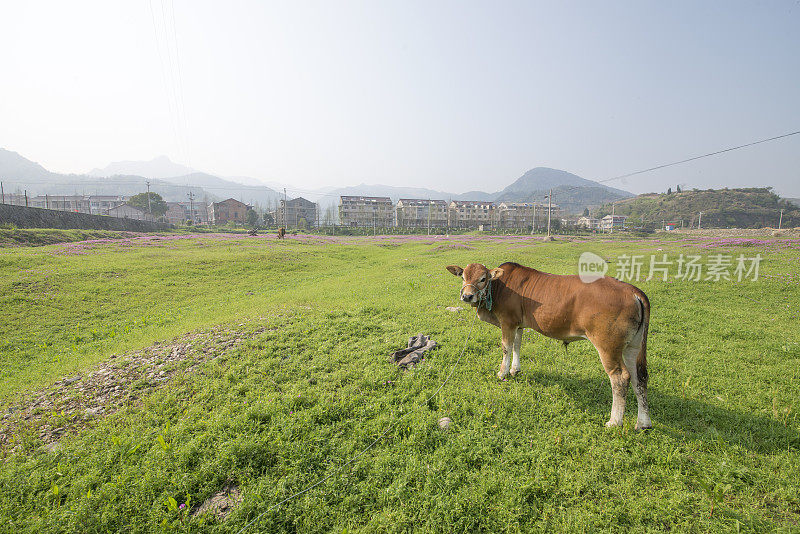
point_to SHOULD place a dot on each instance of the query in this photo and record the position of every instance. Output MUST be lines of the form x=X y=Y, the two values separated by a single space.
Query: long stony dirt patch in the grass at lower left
x=72 y=404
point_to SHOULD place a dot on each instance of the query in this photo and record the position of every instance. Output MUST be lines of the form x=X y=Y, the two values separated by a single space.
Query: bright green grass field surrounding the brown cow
x=308 y=385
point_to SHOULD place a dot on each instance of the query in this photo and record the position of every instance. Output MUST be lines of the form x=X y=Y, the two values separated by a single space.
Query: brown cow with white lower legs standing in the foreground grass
x=612 y=315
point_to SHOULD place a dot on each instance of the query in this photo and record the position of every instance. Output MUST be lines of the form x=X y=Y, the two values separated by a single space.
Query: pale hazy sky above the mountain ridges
x=449 y=95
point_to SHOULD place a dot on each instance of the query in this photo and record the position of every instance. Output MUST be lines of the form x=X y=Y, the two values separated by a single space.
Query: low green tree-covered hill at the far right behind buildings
x=722 y=208
